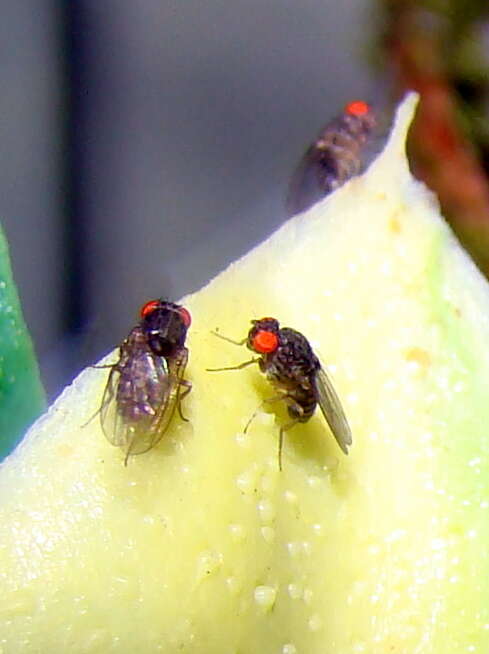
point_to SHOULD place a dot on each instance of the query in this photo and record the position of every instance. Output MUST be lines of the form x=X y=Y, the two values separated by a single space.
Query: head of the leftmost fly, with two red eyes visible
x=165 y=325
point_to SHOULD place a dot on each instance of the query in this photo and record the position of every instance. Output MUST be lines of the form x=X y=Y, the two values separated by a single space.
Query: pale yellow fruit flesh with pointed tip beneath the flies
x=202 y=545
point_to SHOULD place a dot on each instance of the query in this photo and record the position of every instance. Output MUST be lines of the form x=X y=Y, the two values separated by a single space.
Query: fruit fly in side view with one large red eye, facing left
x=288 y=361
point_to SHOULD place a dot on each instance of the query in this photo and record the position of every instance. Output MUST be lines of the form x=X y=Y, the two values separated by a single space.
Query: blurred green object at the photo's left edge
x=22 y=396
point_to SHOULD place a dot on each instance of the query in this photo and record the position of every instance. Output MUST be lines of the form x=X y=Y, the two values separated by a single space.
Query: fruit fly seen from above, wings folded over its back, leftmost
x=145 y=385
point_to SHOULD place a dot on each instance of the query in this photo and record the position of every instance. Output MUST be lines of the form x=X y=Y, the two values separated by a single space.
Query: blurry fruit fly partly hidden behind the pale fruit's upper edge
x=337 y=154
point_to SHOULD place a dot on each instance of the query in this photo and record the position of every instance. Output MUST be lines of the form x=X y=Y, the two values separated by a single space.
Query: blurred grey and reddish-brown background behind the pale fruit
x=147 y=145
